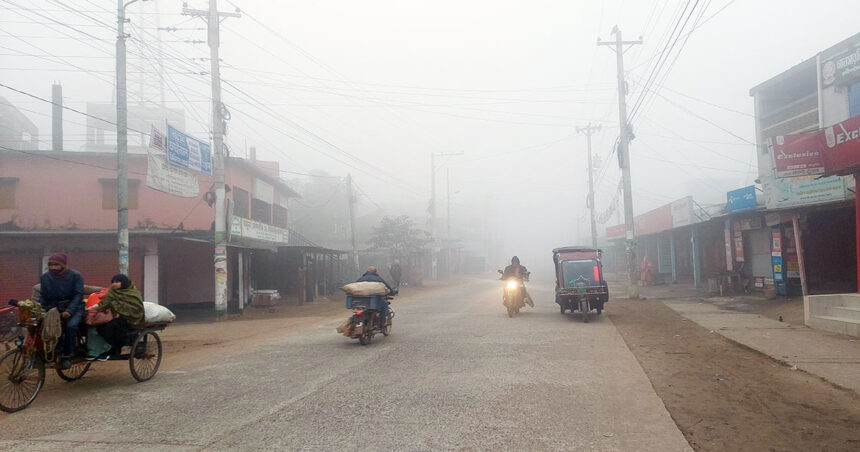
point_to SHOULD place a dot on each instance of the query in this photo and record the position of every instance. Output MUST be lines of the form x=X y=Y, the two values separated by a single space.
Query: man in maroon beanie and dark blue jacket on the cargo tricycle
x=63 y=288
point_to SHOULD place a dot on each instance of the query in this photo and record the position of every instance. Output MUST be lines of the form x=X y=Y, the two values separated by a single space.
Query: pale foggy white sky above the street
x=389 y=82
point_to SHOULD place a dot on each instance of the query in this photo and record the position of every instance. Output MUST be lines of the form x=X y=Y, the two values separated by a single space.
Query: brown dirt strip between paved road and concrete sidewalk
x=724 y=396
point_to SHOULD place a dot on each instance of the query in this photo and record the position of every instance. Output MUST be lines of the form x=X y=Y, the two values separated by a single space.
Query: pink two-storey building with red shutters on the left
x=66 y=201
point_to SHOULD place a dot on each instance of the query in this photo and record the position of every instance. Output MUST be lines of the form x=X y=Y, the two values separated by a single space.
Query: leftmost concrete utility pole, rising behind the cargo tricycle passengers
x=121 y=138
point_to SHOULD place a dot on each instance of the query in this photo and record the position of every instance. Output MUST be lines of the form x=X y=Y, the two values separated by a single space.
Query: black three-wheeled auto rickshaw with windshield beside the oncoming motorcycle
x=579 y=283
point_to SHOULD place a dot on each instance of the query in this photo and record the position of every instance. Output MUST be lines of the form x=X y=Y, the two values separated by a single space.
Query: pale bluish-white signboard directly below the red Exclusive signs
x=780 y=193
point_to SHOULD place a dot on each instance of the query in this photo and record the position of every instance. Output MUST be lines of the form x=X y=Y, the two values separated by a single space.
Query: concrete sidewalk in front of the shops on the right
x=833 y=357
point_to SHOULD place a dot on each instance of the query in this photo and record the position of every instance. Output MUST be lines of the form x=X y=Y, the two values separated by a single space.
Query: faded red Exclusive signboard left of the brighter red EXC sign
x=797 y=155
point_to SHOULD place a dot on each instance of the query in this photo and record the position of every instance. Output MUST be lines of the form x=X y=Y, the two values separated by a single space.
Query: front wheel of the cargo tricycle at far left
x=19 y=383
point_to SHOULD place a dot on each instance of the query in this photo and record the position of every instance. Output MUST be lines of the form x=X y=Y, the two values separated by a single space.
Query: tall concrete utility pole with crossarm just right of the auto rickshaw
x=624 y=158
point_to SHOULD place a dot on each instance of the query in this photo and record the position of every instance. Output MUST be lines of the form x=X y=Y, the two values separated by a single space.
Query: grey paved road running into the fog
x=455 y=373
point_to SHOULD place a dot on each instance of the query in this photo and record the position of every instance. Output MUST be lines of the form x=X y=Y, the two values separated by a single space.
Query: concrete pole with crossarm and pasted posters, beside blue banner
x=213 y=20
